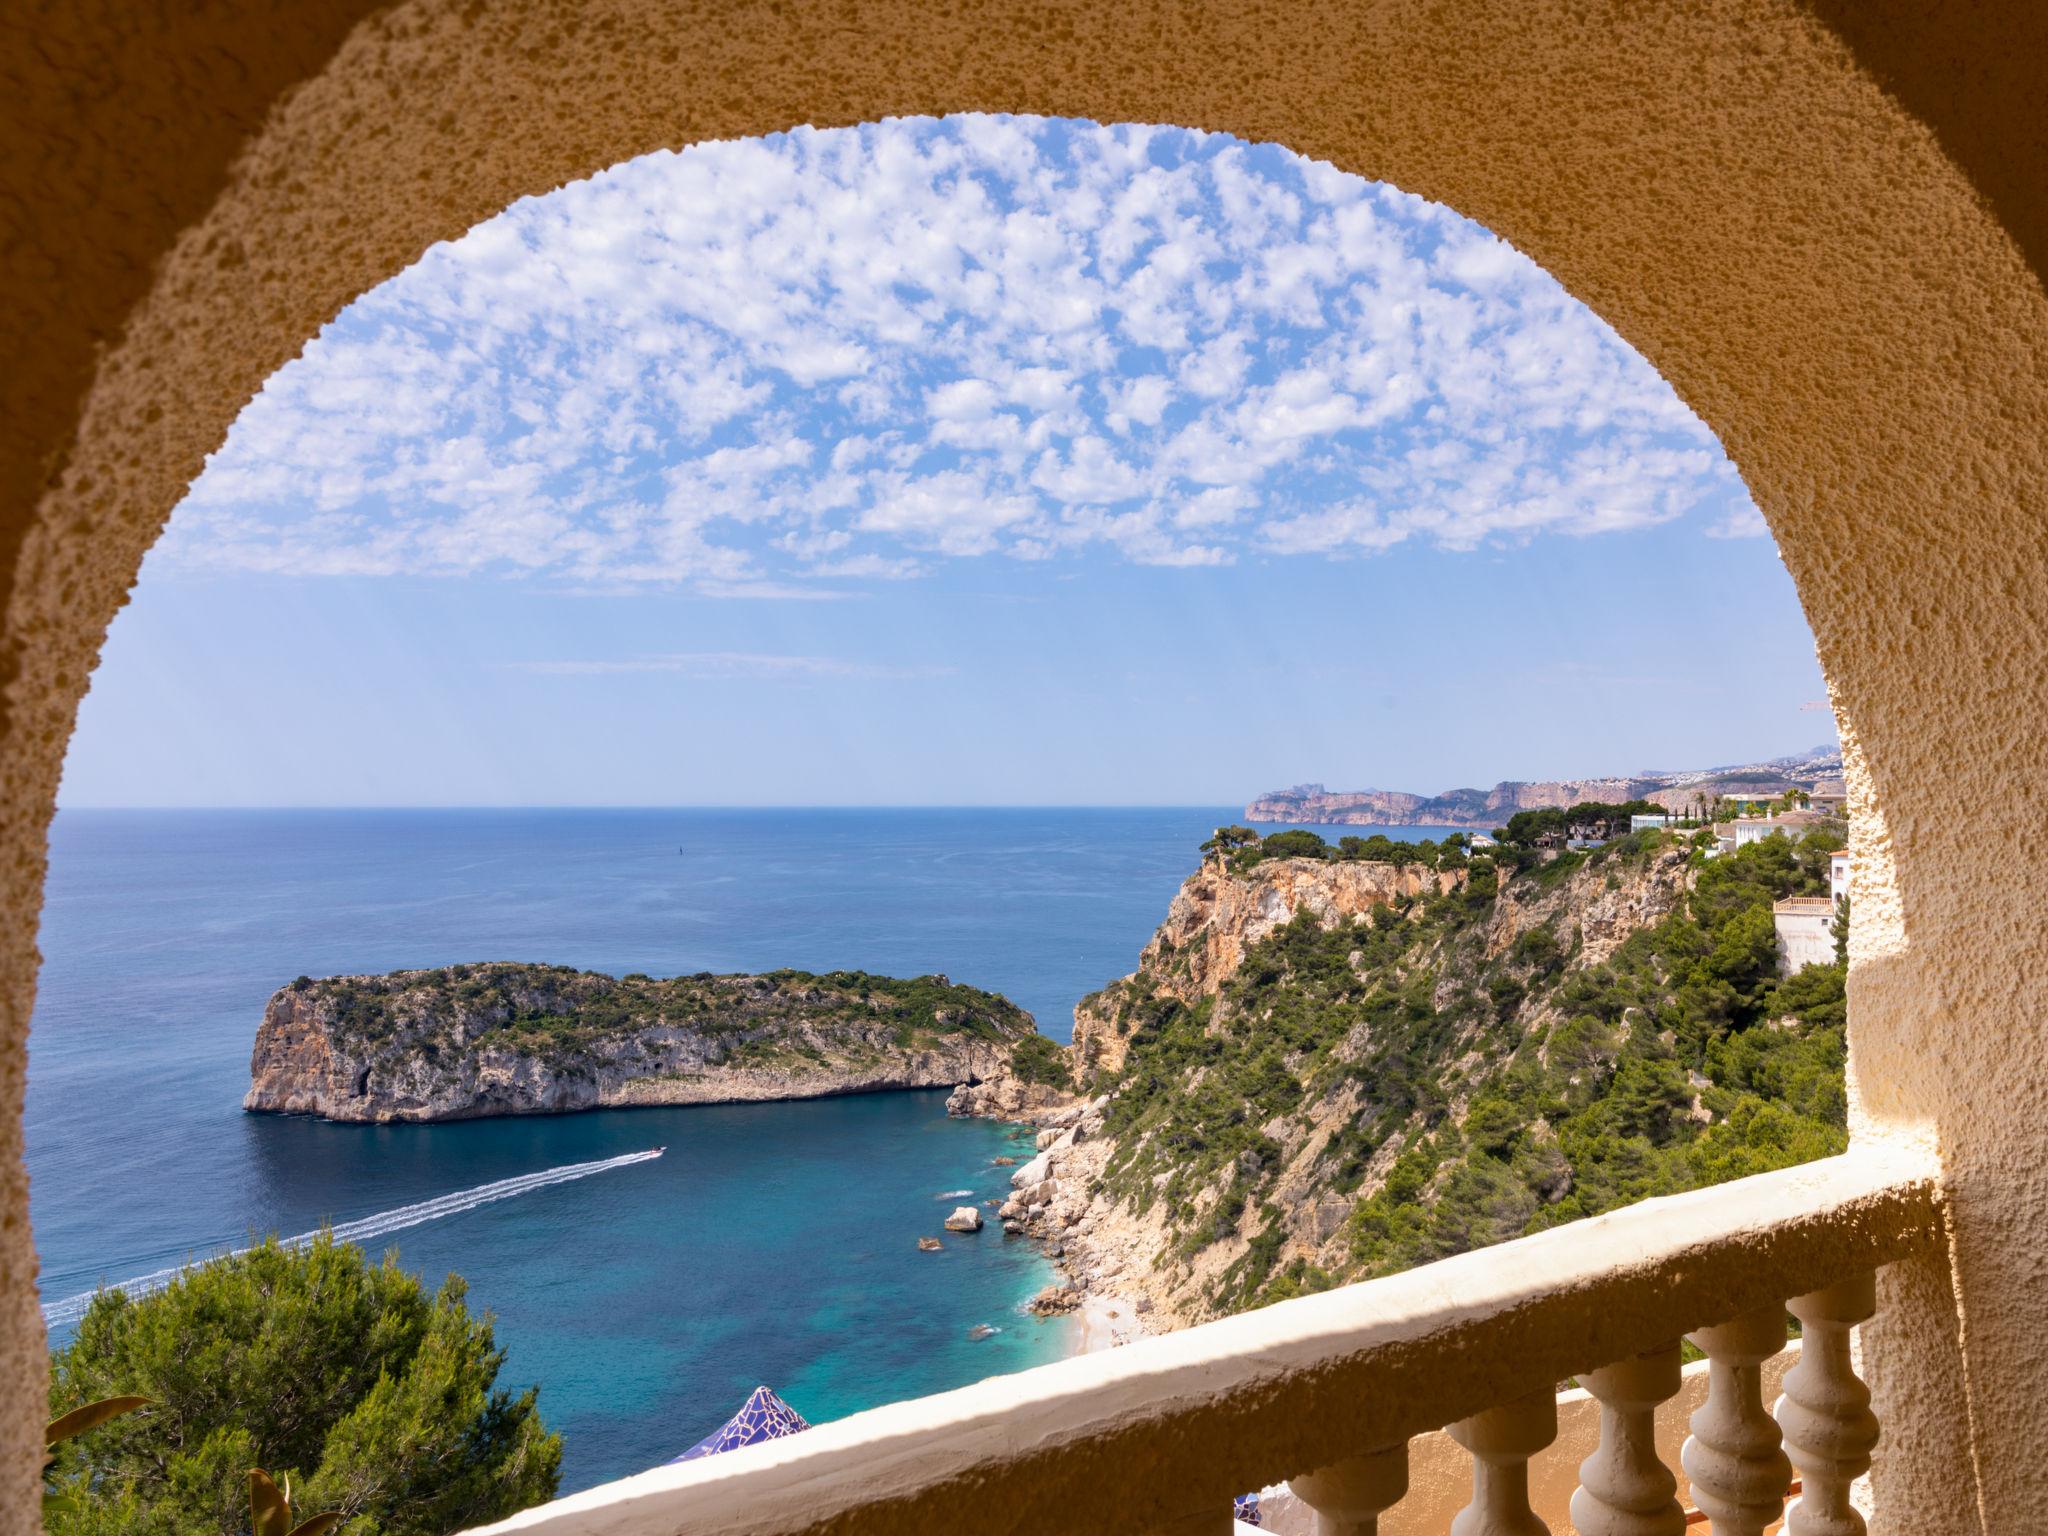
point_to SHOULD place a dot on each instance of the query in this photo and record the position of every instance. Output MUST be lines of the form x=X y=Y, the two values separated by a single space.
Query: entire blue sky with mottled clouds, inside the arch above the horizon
x=970 y=462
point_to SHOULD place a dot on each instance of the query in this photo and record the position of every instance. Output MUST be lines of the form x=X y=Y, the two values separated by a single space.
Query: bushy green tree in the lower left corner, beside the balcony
x=374 y=1398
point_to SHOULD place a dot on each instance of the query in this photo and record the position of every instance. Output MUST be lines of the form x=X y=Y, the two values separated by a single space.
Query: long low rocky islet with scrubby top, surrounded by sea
x=527 y=1039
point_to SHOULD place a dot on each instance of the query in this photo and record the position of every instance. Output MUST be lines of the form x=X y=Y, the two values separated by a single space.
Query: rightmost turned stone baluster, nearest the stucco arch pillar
x=1826 y=1410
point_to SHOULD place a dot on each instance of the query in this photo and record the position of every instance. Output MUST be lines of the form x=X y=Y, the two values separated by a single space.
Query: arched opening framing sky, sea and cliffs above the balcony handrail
x=986 y=464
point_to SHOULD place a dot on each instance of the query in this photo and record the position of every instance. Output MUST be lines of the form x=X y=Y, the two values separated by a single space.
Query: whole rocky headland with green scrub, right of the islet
x=1332 y=1070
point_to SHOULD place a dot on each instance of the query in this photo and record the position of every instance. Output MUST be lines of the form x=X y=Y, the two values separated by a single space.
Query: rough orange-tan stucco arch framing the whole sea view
x=1826 y=226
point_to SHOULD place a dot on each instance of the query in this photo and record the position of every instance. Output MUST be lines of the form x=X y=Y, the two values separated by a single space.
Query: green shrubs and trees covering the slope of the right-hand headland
x=1461 y=1082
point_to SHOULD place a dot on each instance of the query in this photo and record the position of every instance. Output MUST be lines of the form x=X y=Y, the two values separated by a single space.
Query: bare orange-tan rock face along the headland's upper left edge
x=1215 y=919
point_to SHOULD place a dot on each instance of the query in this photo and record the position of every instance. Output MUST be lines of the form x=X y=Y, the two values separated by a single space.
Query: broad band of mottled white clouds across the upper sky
x=849 y=355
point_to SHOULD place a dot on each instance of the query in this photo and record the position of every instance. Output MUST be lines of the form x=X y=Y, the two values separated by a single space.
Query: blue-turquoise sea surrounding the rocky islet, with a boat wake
x=646 y=1297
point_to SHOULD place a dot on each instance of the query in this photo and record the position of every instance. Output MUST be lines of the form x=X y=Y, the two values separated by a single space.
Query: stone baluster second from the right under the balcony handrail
x=1734 y=1457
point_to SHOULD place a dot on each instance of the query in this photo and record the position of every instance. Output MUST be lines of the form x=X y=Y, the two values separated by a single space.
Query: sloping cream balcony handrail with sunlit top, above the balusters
x=1142 y=1437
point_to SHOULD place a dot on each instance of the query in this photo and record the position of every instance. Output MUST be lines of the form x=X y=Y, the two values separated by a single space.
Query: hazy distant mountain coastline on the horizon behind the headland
x=1488 y=808
